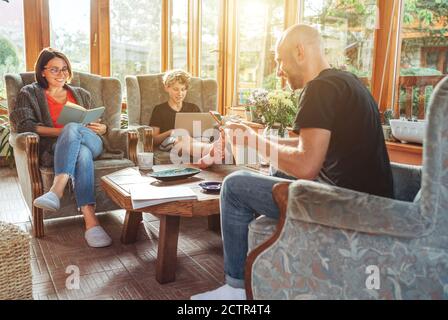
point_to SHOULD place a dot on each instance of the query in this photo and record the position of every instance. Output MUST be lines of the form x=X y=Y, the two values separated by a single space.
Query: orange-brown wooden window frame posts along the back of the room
x=387 y=42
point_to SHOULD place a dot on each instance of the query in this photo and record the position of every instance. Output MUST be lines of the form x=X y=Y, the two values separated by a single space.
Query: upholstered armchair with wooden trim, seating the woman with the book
x=35 y=180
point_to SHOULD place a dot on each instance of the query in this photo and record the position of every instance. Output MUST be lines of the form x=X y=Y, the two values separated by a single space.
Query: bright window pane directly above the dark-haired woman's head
x=70 y=31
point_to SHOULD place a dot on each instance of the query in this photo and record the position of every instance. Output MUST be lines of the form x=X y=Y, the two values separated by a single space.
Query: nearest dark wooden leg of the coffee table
x=167 y=250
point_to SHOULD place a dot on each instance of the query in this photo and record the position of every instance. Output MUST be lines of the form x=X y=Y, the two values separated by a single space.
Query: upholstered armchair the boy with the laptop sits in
x=144 y=92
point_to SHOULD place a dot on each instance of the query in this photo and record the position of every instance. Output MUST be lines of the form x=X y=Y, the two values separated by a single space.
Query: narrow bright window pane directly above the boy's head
x=179 y=32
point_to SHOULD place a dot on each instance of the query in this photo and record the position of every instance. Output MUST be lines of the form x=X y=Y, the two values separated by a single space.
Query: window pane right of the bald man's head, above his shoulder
x=348 y=29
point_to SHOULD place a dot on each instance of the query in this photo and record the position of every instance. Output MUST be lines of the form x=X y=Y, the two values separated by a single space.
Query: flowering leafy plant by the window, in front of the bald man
x=276 y=108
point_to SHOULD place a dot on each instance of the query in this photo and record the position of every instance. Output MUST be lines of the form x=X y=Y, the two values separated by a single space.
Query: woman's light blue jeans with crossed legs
x=75 y=150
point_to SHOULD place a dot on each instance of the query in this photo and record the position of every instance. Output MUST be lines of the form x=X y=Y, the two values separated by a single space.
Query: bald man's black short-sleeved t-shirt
x=357 y=158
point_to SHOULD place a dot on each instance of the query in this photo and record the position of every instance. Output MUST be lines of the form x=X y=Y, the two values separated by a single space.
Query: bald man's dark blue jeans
x=243 y=194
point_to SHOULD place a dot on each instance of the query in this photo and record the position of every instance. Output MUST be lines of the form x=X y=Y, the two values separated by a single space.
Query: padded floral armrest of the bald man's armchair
x=342 y=208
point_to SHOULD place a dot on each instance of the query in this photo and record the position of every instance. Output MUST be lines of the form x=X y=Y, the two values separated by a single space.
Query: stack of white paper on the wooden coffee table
x=145 y=195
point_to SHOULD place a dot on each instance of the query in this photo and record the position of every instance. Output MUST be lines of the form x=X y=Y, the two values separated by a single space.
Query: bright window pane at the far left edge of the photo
x=12 y=54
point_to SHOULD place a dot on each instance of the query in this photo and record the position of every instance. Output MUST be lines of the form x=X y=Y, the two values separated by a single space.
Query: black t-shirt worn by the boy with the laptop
x=164 y=117
